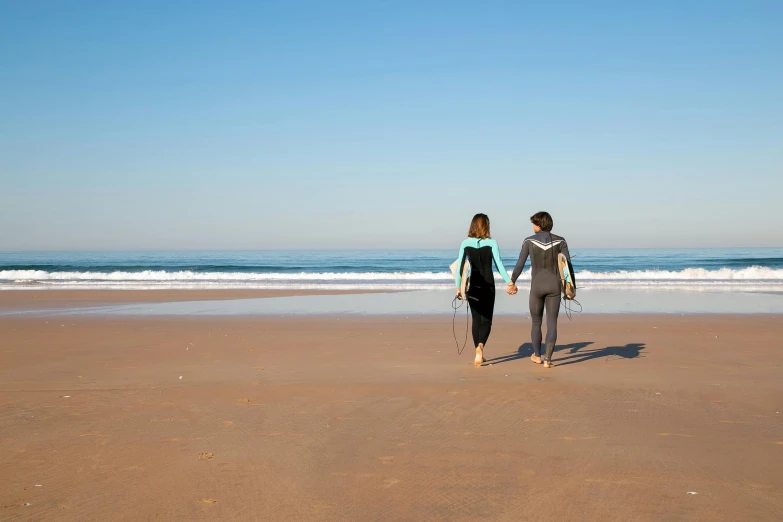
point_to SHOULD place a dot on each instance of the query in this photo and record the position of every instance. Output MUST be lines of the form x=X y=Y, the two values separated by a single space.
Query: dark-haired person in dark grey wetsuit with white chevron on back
x=542 y=248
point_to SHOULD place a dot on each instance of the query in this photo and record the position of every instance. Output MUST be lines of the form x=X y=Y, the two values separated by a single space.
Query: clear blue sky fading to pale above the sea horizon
x=388 y=124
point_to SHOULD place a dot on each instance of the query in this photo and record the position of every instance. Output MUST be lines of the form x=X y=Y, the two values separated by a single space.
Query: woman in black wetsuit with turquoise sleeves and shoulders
x=480 y=250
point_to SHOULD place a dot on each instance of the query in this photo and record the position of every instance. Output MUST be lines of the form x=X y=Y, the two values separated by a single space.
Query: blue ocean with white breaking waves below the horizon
x=759 y=269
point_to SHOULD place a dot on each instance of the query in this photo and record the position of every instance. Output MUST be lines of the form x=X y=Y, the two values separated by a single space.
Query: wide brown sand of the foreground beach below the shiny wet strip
x=372 y=418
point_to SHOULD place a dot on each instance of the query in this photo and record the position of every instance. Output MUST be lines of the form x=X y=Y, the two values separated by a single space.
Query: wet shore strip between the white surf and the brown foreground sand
x=400 y=303
